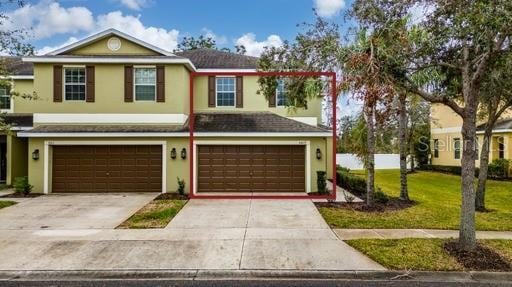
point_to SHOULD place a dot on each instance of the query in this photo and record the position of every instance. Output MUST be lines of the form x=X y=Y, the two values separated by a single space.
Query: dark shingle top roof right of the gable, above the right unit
x=214 y=59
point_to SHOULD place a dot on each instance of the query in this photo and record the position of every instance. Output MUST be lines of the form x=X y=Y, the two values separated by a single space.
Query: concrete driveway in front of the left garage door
x=73 y=211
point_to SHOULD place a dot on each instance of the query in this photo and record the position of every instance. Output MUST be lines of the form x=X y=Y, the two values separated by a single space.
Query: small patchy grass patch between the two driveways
x=156 y=214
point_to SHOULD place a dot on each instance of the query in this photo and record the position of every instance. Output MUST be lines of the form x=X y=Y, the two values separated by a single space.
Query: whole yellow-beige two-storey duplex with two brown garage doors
x=112 y=115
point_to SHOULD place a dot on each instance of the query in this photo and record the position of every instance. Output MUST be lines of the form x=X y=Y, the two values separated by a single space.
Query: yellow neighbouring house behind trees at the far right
x=446 y=143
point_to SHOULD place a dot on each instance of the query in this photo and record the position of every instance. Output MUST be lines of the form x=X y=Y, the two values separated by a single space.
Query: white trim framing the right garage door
x=306 y=143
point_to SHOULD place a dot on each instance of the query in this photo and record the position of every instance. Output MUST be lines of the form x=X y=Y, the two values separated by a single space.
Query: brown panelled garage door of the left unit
x=101 y=168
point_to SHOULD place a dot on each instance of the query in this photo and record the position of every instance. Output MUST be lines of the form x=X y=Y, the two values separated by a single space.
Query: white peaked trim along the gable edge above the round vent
x=104 y=34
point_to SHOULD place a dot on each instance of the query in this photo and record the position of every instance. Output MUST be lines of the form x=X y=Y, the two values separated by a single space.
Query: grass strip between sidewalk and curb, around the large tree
x=420 y=254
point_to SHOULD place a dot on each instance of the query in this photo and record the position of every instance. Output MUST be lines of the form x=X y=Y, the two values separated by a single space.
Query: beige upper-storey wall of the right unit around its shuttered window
x=253 y=101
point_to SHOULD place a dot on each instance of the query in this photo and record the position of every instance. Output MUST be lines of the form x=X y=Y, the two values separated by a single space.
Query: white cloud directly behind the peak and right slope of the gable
x=160 y=37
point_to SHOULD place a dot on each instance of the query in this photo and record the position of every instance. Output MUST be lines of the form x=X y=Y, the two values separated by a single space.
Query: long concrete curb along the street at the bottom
x=194 y=274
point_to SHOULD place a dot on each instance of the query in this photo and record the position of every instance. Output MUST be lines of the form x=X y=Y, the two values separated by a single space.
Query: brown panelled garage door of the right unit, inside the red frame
x=251 y=168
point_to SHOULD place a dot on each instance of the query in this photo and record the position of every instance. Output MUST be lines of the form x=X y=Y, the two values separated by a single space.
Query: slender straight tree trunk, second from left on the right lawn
x=402 y=128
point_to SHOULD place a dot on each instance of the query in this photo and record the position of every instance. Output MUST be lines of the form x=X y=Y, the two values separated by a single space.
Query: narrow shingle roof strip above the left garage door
x=108 y=129
